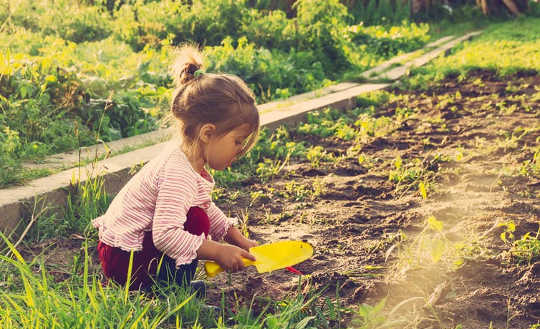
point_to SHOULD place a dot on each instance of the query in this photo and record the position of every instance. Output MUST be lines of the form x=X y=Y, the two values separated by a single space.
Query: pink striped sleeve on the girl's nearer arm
x=177 y=191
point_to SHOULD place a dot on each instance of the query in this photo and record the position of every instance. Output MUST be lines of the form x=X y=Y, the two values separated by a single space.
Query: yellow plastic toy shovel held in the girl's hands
x=271 y=256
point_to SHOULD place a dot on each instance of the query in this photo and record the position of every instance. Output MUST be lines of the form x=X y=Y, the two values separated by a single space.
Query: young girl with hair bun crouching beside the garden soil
x=164 y=214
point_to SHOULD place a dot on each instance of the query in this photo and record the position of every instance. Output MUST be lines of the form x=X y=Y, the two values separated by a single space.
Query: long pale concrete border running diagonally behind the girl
x=18 y=203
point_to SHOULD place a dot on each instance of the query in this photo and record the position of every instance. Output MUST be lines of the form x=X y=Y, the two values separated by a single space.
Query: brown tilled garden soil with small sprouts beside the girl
x=439 y=261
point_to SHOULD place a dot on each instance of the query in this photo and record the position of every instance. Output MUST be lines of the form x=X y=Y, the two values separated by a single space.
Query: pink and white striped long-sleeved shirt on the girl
x=157 y=199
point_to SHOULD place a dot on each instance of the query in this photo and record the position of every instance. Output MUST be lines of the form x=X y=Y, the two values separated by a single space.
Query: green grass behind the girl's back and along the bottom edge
x=32 y=297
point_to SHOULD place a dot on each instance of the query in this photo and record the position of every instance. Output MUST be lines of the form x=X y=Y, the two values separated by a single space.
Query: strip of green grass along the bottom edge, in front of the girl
x=35 y=299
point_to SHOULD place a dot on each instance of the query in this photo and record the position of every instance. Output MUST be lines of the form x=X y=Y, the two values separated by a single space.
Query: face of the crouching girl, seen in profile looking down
x=222 y=151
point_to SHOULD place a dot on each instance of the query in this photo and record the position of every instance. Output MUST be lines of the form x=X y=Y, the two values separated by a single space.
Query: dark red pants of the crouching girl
x=146 y=267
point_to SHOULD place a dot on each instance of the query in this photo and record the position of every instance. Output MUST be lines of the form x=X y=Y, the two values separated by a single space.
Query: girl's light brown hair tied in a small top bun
x=220 y=99
